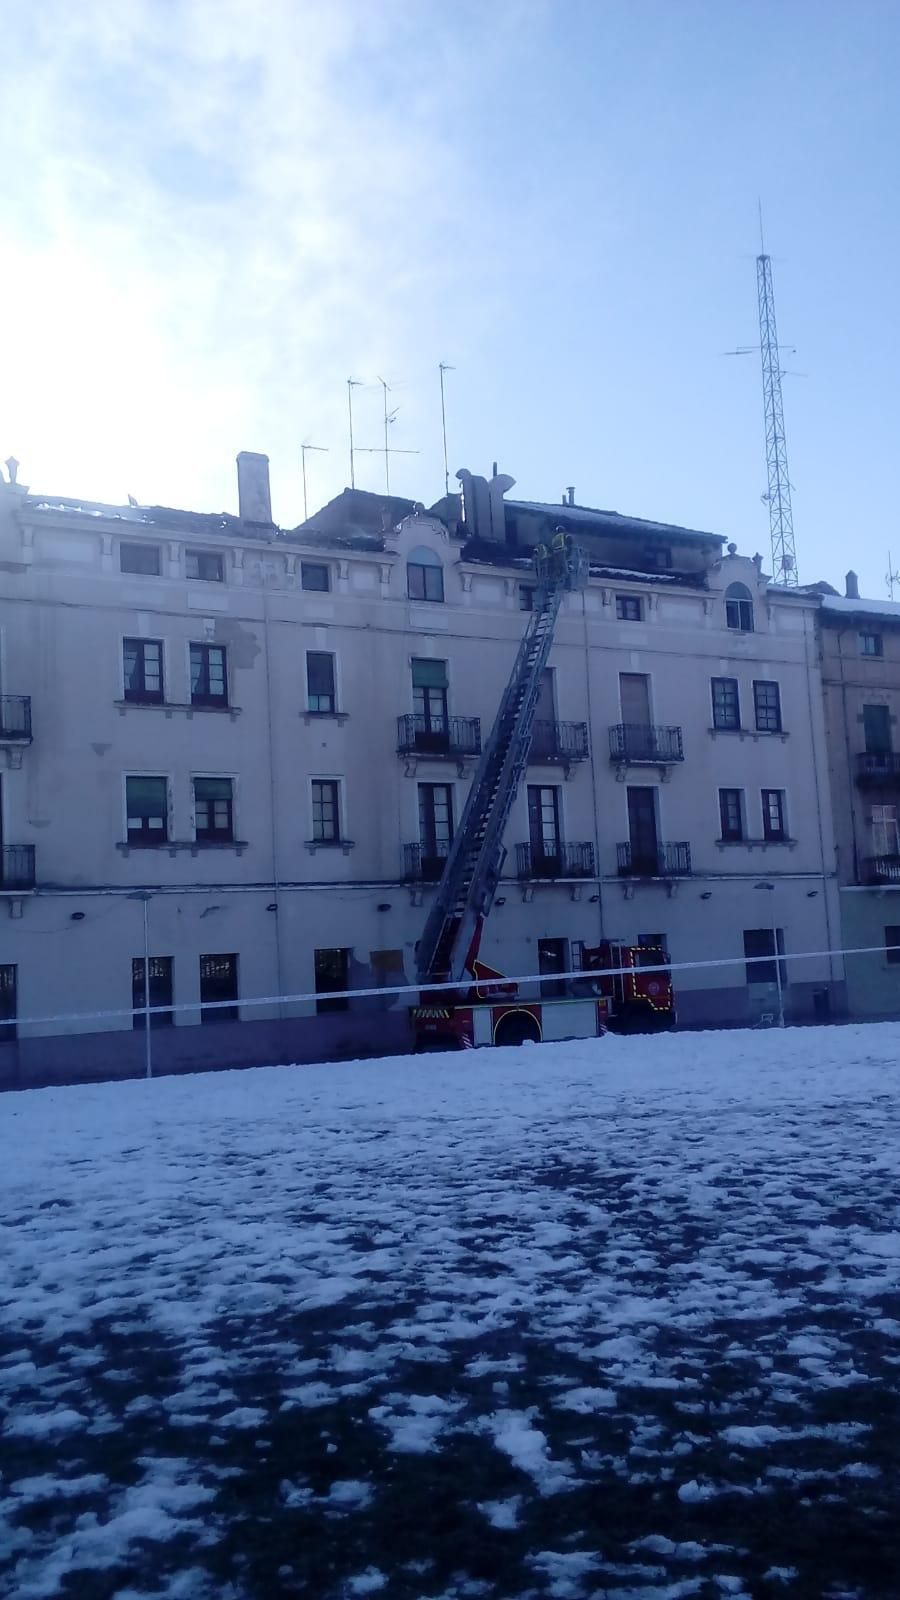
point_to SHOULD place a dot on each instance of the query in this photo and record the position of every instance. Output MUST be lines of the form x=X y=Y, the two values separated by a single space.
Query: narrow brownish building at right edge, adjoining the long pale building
x=861 y=673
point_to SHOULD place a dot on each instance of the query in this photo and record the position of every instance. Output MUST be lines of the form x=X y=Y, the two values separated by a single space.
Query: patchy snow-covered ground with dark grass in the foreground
x=619 y=1318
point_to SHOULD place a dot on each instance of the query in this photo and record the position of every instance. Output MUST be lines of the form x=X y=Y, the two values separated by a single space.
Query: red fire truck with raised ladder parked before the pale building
x=617 y=986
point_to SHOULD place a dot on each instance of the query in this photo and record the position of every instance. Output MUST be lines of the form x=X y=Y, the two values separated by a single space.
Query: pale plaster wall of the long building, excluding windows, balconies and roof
x=273 y=898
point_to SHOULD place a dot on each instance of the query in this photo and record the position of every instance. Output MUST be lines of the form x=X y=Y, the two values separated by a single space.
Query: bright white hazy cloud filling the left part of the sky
x=219 y=212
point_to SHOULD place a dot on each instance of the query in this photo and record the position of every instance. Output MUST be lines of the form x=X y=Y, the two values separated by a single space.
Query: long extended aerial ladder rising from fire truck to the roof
x=452 y=934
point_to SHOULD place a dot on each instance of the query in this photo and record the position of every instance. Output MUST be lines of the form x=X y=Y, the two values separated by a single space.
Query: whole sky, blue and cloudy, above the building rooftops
x=215 y=212
